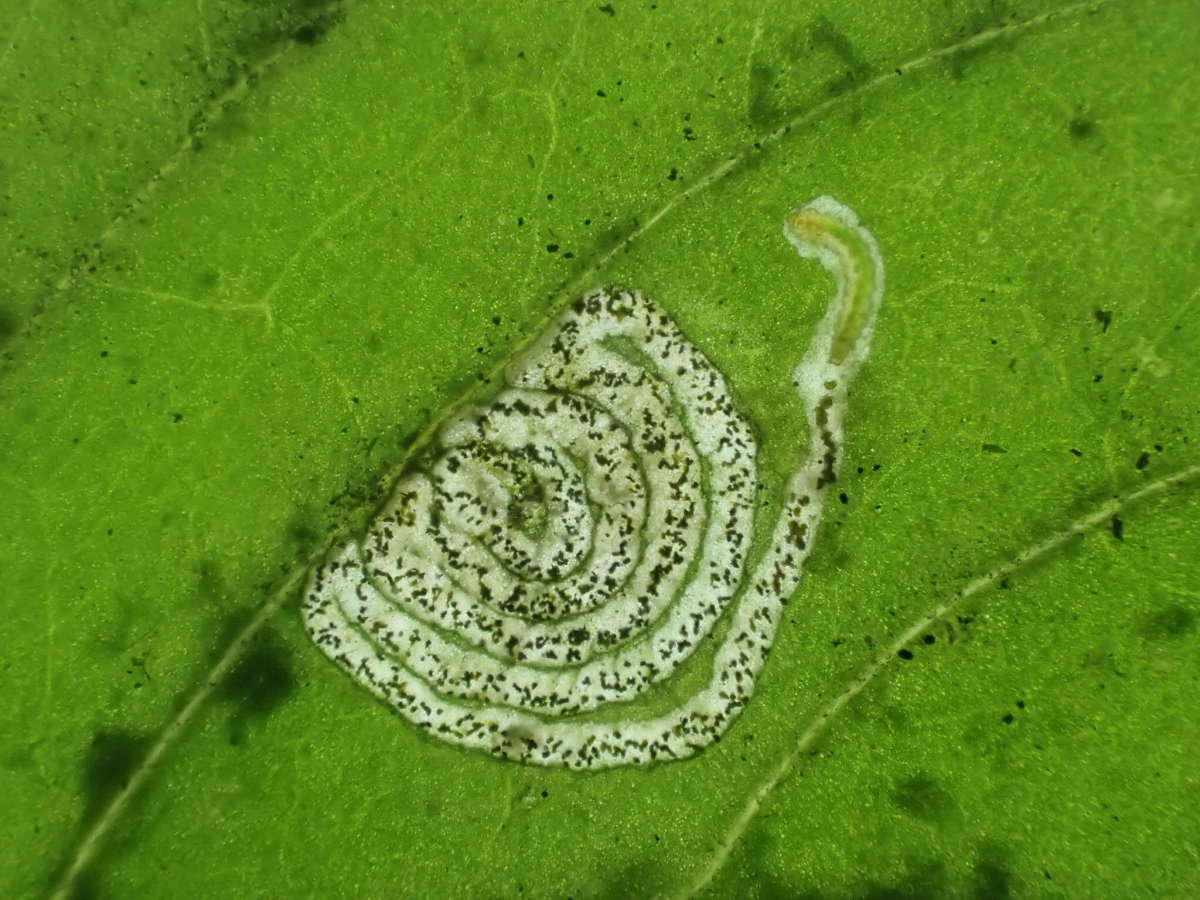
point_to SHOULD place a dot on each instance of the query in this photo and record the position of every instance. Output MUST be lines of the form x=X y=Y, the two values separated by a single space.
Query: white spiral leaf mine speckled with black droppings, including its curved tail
x=541 y=580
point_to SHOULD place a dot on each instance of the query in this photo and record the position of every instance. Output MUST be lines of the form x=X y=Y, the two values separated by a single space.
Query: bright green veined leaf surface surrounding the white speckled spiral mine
x=250 y=251
